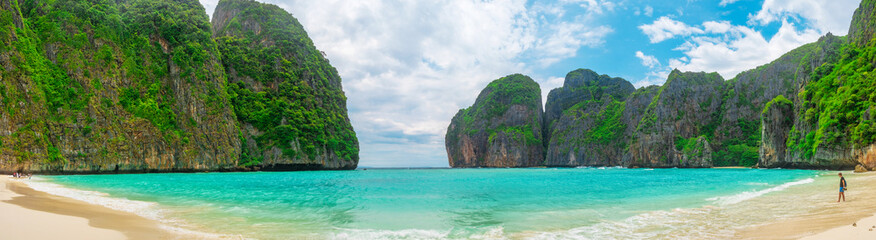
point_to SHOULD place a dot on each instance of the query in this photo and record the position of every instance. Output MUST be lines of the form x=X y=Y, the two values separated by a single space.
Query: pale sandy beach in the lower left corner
x=29 y=214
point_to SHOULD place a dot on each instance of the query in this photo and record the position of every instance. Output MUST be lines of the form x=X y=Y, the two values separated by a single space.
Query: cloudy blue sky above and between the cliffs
x=408 y=66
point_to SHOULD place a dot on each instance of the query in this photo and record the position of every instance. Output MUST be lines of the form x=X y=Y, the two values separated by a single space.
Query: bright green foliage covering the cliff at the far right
x=841 y=101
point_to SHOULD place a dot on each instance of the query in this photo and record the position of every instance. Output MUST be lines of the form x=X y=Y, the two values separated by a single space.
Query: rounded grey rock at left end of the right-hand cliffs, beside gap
x=502 y=128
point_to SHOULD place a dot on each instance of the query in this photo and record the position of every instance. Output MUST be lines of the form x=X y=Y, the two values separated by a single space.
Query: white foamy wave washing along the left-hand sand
x=148 y=210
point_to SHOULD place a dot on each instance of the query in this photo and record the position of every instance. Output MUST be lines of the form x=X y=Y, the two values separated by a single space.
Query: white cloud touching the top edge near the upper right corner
x=826 y=15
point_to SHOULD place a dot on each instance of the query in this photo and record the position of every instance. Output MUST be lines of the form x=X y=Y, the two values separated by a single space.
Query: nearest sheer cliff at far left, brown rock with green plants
x=130 y=86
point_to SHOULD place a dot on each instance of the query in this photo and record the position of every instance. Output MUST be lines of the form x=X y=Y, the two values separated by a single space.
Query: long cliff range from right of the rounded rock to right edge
x=814 y=107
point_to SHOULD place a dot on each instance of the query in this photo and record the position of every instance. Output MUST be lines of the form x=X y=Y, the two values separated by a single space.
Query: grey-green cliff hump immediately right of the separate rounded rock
x=586 y=120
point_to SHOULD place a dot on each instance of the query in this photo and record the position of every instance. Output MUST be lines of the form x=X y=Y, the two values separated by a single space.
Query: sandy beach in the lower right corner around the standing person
x=830 y=220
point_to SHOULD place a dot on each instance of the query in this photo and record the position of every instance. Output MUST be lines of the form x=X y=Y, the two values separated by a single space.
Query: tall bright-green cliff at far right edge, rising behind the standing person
x=833 y=108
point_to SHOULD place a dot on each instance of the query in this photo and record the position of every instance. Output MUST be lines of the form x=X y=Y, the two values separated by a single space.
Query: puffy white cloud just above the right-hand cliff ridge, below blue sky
x=740 y=48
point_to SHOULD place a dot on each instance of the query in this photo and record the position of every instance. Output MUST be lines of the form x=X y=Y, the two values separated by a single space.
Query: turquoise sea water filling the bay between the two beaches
x=447 y=203
